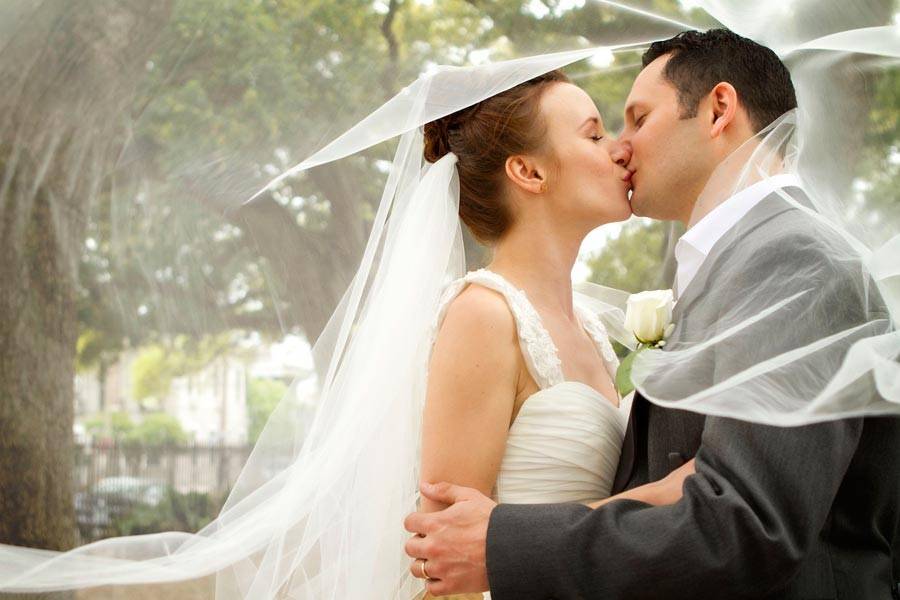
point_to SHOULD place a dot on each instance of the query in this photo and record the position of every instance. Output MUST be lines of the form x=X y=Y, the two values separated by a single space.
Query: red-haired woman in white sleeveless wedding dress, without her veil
x=520 y=402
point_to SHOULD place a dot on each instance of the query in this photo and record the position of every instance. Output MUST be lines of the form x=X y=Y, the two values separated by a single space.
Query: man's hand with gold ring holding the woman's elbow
x=451 y=542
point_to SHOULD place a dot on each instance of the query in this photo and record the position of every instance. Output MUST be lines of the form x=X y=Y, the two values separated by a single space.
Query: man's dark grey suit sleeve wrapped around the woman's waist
x=759 y=497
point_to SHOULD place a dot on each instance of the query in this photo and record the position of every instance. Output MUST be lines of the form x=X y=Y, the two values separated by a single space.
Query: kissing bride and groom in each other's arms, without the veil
x=554 y=485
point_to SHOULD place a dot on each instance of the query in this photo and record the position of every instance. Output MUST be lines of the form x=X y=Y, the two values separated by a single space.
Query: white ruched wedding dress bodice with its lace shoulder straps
x=564 y=443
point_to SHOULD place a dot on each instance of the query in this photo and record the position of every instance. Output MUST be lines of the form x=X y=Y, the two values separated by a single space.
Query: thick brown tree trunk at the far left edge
x=67 y=71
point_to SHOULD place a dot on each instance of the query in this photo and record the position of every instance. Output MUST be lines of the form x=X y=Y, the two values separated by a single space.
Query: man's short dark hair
x=701 y=59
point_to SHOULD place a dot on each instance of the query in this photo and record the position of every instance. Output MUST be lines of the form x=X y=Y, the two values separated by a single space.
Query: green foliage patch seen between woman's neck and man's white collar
x=633 y=261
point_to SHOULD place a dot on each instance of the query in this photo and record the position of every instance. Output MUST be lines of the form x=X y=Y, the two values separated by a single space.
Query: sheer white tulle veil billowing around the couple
x=317 y=510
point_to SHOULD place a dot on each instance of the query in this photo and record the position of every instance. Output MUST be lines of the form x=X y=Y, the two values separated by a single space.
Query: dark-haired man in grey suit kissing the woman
x=787 y=513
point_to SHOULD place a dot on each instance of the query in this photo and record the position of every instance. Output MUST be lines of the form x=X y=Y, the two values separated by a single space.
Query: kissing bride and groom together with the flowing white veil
x=756 y=457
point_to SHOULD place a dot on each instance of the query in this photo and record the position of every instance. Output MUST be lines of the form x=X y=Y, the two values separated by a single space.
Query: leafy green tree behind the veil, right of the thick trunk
x=228 y=85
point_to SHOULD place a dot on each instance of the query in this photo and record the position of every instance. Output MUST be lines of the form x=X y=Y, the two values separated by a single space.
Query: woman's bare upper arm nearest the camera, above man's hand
x=472 y=382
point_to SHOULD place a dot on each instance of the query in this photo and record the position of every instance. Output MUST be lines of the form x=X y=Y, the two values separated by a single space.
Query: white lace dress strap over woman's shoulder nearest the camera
x=538 y=350
